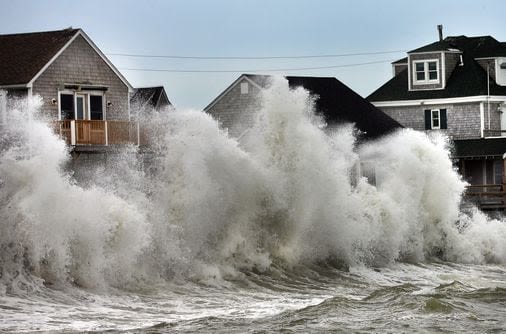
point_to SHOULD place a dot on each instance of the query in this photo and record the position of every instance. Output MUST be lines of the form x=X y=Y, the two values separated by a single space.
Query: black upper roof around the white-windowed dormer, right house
x=467 y=80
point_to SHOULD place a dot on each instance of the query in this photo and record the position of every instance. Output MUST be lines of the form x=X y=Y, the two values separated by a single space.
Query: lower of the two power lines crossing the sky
x=257 y=70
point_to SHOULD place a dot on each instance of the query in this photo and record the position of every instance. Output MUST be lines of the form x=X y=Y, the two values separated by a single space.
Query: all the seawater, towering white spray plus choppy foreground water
x=276 y=231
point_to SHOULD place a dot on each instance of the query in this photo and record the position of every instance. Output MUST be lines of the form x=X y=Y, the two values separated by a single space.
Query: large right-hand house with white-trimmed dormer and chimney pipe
x=456 y=85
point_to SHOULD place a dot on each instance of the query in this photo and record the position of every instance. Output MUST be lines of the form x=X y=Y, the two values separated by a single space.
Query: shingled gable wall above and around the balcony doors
x=80 y=64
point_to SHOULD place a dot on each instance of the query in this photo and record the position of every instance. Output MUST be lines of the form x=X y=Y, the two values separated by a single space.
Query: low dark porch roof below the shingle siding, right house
x=493 y=147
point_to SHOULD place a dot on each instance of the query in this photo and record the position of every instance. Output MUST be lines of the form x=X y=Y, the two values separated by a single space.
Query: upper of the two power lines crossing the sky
x=254 y=57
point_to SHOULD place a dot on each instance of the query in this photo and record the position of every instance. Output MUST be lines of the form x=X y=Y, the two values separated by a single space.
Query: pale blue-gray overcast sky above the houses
x=255 y=28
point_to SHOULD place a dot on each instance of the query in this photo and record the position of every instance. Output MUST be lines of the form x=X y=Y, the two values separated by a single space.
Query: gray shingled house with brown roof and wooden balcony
x=81 y=90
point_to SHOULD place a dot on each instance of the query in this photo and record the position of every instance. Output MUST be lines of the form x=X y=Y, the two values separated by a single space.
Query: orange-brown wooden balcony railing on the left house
x=96 y=132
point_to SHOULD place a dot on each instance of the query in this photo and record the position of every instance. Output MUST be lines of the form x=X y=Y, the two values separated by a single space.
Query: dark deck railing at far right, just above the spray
x=487 y=196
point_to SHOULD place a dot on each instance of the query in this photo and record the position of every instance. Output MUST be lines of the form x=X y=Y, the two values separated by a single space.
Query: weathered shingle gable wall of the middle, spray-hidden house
x=235 y=111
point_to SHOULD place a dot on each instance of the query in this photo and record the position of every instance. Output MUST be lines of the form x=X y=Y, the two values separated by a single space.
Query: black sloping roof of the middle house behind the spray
x=339 y=104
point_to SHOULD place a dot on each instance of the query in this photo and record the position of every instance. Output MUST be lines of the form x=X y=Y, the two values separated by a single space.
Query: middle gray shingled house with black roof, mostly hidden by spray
x=335 y=102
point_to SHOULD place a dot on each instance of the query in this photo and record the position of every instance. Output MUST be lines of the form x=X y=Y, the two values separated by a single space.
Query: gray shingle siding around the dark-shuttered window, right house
x=463 y=118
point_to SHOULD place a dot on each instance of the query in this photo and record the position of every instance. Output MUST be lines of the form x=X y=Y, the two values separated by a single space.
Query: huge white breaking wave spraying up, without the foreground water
x=202 y=206
